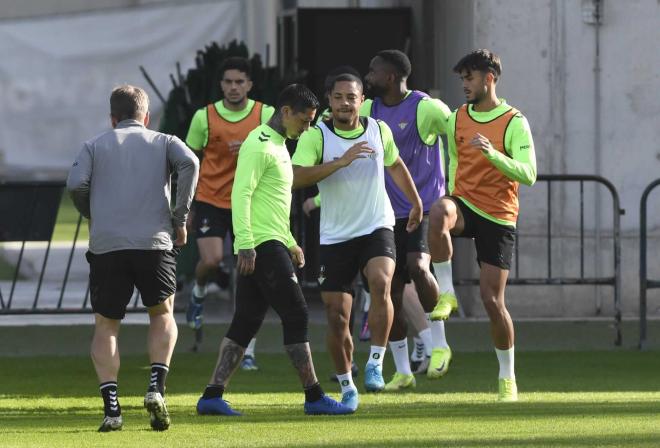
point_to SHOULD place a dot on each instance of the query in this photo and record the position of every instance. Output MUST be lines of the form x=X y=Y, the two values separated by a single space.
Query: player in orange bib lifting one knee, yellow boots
x=490 y=153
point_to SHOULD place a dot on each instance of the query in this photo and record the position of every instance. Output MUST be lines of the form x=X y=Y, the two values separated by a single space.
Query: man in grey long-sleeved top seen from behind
x=121 y=182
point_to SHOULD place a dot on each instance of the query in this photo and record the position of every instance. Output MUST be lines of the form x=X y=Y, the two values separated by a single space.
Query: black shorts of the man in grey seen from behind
x=114 y=275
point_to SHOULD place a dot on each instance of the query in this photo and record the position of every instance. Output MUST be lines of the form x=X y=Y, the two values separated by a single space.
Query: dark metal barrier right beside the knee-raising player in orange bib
x=550 y=278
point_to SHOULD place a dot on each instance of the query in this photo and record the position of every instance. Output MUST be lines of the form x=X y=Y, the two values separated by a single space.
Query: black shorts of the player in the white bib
x=341 y=262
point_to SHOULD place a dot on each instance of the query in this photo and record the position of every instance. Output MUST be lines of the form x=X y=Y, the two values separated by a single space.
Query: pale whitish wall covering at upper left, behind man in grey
x=61 y=60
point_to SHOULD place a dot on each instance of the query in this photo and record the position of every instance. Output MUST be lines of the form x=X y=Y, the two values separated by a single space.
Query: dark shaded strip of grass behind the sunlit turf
x=565 y=372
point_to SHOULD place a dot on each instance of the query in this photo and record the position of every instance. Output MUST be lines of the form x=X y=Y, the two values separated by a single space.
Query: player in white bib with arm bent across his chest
x=347 y=157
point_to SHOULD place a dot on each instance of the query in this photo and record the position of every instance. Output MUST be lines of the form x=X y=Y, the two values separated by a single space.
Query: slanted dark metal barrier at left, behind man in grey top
x=28 y=213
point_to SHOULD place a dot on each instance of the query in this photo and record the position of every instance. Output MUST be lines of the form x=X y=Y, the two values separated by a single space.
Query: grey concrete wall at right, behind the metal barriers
x=548 y=73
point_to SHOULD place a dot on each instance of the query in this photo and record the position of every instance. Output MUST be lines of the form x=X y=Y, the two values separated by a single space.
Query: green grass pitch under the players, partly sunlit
x=606 y=398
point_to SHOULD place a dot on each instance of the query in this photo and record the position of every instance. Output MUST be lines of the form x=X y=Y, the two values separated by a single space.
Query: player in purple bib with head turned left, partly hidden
x=416 y=121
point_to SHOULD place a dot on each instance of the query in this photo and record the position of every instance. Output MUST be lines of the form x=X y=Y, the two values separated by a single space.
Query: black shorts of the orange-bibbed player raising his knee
x=494 y=242
